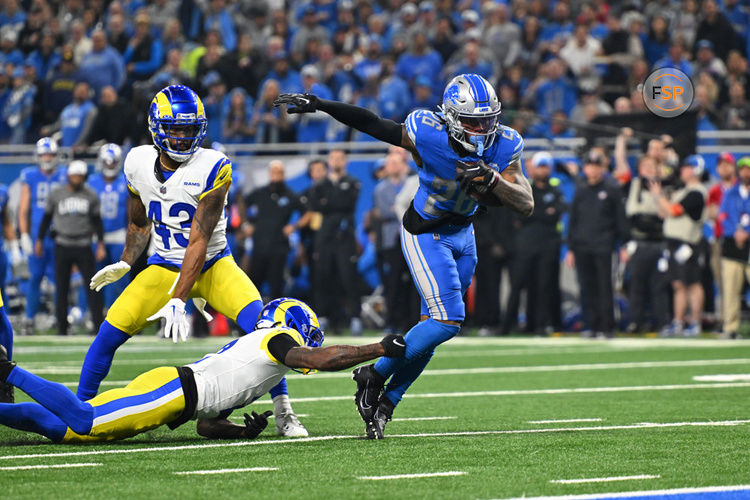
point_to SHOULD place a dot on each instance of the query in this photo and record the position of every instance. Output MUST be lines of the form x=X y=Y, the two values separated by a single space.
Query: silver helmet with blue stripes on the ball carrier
x=472 y=112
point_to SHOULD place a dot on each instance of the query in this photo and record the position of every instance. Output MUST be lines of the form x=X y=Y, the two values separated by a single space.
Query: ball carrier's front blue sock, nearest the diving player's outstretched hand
x=421 y=340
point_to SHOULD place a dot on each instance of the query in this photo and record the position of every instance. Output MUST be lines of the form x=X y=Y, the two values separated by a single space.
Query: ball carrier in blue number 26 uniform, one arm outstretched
x=463 y=153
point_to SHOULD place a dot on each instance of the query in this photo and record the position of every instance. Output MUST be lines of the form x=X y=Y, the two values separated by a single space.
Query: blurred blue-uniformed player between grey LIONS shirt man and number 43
x=113 y=196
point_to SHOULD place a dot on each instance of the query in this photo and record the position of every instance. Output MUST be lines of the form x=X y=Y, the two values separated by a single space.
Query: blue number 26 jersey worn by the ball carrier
x=438 y=189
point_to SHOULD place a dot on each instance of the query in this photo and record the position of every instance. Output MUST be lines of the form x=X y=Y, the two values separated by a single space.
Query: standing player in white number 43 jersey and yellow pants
x=178 y=193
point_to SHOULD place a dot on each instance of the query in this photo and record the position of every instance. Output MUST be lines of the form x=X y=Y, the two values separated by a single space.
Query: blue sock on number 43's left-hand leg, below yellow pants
x=98 y=360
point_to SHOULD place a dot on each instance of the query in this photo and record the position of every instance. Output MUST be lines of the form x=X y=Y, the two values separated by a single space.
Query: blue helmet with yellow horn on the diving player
x=295 y=314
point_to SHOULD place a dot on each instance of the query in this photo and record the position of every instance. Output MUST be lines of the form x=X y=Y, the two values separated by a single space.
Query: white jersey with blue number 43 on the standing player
x=171 y=204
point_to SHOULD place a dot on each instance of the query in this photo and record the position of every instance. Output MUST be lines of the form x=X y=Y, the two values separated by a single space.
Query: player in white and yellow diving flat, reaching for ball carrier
x=288 y=336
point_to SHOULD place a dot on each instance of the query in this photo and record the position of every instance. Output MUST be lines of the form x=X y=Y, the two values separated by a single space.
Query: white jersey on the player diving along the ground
x=241 y=372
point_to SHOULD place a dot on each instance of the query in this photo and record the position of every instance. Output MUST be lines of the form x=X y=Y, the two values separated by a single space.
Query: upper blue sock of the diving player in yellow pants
x=55 y=397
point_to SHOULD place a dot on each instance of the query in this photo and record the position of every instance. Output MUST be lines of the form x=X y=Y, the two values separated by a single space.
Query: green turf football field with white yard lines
x=627 y=407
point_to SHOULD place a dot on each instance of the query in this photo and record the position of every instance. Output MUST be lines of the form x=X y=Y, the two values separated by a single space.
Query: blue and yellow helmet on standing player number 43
x=177 y=122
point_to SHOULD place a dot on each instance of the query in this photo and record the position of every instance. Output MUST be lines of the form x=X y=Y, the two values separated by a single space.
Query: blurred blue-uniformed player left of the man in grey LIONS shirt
x=37 y=183
